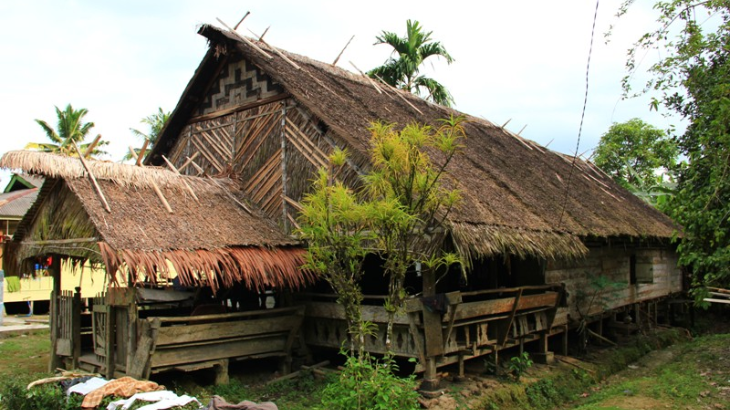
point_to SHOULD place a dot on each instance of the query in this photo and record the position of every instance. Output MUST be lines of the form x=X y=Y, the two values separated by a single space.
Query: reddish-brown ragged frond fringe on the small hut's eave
x=255 y=267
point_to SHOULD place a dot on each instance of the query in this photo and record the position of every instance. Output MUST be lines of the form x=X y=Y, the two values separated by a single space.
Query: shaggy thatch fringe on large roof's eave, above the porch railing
x=479 y=240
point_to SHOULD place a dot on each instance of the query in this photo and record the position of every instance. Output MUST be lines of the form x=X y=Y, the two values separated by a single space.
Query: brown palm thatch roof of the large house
x=519 y=197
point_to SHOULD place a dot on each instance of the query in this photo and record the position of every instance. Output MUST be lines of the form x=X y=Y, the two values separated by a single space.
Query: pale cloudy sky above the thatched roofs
x=517 y=61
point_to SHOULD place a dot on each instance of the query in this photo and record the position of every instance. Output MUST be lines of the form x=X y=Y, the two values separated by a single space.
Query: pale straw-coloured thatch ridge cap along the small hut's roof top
x=61 y=166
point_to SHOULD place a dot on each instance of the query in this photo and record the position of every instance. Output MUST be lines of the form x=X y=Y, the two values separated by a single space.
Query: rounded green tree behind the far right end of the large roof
x=632 y=152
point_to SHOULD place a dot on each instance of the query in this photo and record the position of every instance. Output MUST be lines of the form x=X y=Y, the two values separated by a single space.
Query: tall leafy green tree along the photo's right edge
x=693 y=81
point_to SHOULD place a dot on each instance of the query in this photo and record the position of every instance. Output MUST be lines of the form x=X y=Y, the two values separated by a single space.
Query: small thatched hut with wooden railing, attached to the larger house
x=188 y=266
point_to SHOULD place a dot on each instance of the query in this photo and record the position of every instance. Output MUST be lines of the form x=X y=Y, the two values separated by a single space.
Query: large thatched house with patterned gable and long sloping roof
x=535 y=225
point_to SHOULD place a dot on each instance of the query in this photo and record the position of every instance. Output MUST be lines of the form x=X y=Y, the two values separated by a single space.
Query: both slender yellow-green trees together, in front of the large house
x=397 y=212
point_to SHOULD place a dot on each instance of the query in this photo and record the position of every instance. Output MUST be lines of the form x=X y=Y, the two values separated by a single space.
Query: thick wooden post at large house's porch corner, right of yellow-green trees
x=434 y=335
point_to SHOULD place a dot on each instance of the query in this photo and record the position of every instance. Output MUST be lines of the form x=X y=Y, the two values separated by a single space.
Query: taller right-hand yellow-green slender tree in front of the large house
x=410 y=202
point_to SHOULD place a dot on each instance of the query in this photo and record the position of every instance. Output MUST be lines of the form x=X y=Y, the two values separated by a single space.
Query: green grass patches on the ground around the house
x=689 y=375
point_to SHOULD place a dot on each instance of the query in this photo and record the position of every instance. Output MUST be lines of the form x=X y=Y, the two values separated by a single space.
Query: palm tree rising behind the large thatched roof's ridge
x=409 y=53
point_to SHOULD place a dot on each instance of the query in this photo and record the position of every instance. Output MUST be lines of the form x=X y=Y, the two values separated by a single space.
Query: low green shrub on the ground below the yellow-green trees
x=367 y=383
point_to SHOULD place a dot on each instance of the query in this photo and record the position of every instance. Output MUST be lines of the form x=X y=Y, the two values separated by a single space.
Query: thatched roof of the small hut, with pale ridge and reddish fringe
x=210 y=240
